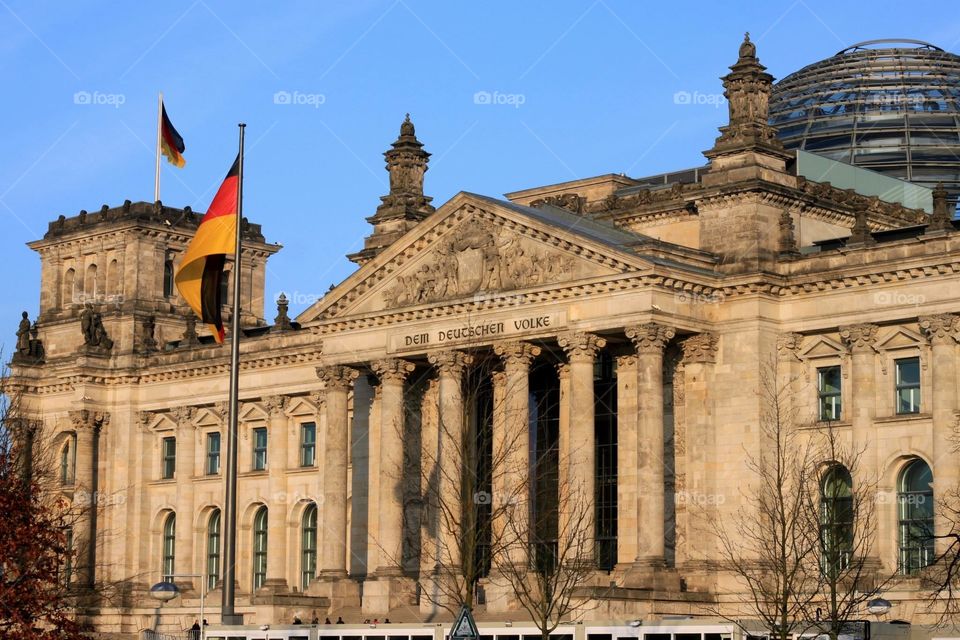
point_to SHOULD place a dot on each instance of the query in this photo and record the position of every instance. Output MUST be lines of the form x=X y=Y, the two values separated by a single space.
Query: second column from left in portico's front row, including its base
x=388 y=589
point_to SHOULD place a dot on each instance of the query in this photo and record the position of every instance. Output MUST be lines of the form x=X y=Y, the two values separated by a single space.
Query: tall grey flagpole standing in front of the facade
x=227 y=614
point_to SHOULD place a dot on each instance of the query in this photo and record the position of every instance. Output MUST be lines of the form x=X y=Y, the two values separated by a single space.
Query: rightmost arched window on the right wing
x=915 y=515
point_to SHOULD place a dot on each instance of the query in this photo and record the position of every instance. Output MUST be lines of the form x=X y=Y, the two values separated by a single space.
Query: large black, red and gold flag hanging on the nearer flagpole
x=201 y=270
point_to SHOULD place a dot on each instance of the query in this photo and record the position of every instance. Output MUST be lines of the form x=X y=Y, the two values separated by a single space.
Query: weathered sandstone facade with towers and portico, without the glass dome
x=689 y=289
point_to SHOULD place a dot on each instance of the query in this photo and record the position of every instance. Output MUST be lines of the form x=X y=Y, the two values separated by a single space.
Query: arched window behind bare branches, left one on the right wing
x=836 y=520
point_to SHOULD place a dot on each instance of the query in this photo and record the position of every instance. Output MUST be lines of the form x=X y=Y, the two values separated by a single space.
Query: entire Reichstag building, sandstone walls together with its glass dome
x=611 y=335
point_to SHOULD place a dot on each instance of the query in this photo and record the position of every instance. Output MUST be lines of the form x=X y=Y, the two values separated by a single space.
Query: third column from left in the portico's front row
x=450 y=366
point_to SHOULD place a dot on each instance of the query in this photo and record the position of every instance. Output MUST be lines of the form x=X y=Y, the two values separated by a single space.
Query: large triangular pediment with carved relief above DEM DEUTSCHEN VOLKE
x=479 y=248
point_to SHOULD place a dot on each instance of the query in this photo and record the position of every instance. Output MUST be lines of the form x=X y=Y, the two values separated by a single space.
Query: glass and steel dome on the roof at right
x=892 y=106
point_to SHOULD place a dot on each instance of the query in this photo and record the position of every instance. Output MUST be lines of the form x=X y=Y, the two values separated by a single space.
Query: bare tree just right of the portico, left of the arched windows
x=770 y=548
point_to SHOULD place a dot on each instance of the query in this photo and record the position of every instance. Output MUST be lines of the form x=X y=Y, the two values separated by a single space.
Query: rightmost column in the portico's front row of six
x=650 y=340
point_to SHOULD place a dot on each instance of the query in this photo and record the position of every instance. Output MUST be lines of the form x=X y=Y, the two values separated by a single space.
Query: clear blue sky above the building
x=581 y=88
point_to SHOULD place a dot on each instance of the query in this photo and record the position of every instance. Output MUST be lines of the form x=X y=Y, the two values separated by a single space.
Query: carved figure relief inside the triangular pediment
x=478 y=257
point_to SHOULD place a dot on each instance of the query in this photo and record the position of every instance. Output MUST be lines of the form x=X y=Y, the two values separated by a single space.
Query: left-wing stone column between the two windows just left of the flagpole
x=185 y=471
